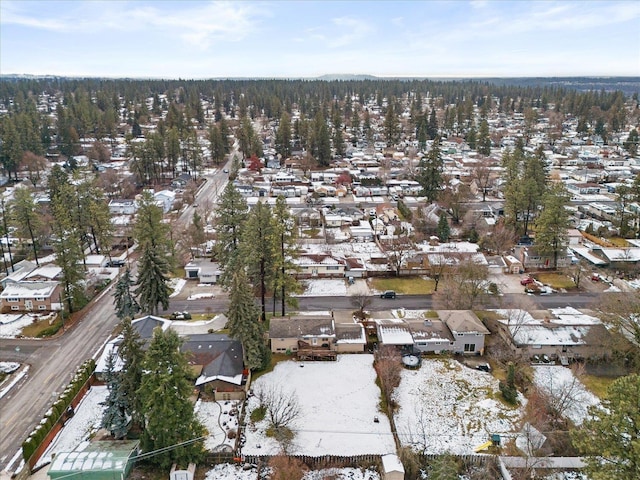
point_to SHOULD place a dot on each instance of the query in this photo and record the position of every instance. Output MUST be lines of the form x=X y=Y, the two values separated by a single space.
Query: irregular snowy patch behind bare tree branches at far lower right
x=559 y=381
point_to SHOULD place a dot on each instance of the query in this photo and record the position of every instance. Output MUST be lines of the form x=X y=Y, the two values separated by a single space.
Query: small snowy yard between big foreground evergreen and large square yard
x=217 y=419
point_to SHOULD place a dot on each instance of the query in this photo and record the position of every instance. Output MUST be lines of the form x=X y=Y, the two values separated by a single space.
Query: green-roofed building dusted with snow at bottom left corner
x=101 y=460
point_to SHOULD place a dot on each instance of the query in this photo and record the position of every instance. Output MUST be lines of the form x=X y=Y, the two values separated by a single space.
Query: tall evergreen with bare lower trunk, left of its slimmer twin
x=258 y=250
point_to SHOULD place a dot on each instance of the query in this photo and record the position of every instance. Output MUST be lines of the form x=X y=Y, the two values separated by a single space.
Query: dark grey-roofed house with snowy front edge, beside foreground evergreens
x=218 y=362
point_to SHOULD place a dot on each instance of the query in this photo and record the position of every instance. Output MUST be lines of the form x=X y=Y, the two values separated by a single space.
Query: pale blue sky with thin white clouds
x=294 y=39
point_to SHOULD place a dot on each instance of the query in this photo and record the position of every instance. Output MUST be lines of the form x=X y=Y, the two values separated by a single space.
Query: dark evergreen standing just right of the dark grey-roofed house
x=244 y=323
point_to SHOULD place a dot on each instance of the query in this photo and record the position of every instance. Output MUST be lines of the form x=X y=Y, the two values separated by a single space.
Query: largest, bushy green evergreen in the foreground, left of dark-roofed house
x=170 y=424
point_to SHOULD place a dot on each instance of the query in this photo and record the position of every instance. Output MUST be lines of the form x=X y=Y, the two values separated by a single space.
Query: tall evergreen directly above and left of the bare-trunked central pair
x=230 y=217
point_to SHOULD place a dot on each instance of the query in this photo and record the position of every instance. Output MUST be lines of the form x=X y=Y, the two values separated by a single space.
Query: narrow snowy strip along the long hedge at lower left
x=78 y=429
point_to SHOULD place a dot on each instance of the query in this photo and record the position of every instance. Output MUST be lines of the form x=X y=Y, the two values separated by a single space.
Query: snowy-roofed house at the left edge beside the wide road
x=30 y=296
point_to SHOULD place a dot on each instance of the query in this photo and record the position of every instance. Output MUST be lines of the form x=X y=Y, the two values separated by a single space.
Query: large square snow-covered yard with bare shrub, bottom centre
x=338 y=402
